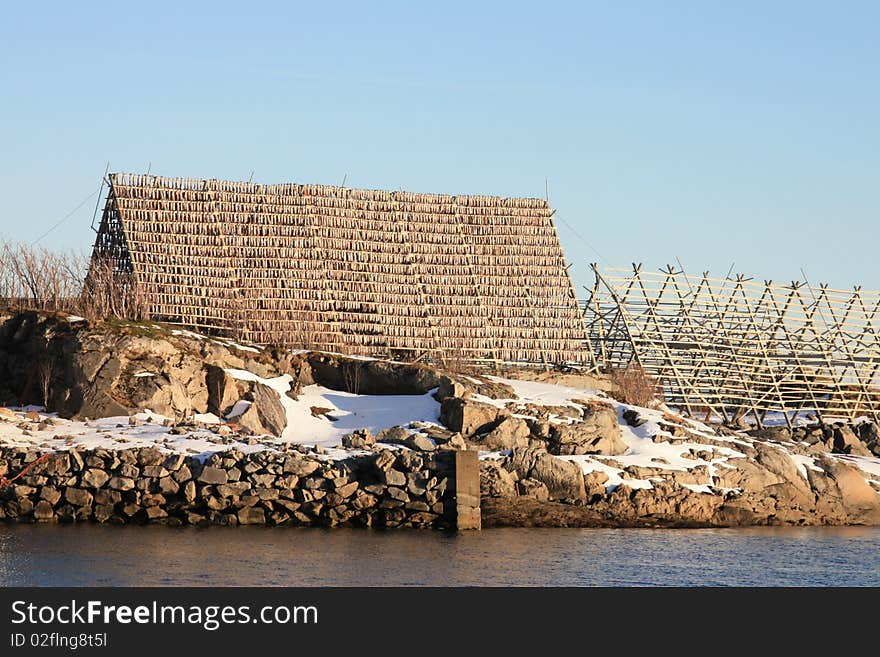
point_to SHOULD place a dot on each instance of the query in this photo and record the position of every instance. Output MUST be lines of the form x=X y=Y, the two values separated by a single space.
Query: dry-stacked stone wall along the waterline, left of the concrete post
x=293 y=485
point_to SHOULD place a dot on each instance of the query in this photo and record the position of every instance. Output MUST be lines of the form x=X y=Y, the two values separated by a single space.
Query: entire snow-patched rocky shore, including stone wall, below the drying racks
x=147 y=423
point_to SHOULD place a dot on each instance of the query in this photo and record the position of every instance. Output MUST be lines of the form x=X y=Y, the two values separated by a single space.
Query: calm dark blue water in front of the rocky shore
x=33 y=555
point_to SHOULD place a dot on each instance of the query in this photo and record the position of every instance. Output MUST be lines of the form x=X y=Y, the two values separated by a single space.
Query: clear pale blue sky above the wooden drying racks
x=714 y=132
